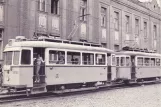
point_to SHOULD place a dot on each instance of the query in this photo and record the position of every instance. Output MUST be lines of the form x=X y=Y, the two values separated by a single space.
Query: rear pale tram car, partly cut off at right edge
x=138 y=67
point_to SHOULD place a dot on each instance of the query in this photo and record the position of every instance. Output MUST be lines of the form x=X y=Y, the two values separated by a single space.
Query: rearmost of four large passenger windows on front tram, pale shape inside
x=100 y=59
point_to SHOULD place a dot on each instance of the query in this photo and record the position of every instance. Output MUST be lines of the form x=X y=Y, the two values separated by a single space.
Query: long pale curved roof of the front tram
x=45 y=44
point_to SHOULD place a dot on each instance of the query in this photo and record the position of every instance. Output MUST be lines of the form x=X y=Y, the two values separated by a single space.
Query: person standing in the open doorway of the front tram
x=39 y=61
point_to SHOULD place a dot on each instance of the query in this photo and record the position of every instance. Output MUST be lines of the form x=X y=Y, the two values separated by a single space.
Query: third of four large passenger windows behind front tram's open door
x=87 y=59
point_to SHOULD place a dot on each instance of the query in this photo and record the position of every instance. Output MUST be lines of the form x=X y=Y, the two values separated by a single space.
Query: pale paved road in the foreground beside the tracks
x=147 y=96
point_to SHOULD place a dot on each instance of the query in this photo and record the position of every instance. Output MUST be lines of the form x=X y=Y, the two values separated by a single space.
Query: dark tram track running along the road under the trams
x=23 y=97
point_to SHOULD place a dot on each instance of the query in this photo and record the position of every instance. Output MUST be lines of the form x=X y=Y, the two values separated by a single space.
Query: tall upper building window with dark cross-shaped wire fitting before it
x=83 y=10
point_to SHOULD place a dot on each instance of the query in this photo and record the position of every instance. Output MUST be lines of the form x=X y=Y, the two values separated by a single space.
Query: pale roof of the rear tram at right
x=138 y=53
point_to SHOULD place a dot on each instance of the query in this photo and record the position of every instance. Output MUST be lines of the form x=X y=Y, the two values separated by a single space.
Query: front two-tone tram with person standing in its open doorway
x=66 y=65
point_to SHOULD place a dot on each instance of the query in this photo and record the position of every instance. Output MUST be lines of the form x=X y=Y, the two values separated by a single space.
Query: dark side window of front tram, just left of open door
x=26 y=57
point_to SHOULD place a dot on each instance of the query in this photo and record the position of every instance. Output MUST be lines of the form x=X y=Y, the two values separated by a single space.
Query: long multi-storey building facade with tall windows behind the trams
x=112 y=23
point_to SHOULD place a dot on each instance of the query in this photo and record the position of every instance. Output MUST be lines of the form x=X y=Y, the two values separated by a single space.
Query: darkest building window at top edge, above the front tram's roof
x=55 y=6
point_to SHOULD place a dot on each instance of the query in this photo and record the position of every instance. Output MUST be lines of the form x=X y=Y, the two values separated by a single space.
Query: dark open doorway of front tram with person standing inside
x=39 y=65
